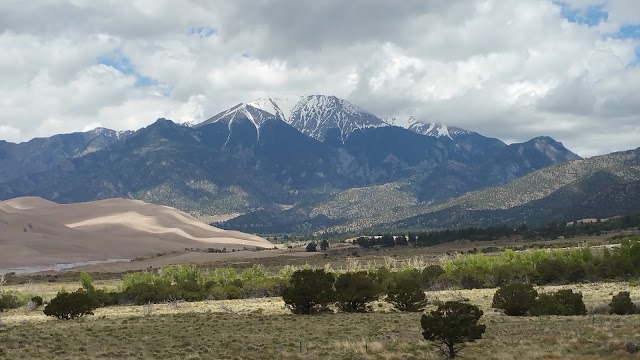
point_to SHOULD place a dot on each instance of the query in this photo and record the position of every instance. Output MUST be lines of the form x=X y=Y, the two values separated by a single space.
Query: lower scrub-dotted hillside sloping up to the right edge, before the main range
x=597 y=187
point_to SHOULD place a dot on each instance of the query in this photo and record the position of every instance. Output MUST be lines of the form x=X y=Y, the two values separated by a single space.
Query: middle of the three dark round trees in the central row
x=354 y=291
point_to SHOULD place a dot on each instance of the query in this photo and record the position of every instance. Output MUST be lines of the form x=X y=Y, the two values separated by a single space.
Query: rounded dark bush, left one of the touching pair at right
x=515 y=299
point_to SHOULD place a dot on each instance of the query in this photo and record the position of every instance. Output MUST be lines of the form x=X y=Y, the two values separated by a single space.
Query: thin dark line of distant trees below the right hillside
x=551 y=231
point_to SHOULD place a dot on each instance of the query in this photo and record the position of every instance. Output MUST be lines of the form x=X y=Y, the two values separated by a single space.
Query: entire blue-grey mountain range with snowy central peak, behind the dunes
x=287 y=164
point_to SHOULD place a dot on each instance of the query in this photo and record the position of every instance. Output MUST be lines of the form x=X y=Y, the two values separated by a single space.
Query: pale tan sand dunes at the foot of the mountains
x=34 y=231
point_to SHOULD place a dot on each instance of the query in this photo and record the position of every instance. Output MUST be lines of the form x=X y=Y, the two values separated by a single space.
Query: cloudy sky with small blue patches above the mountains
x=511 y=69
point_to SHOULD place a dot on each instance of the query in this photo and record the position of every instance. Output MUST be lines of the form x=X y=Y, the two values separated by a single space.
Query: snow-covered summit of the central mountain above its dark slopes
x=312 y=115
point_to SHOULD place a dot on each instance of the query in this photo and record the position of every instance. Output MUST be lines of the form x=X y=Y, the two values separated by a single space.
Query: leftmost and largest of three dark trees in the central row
x=309 y=291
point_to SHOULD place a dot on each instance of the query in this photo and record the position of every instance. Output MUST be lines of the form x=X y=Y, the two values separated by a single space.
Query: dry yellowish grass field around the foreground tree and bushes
x=264 y=329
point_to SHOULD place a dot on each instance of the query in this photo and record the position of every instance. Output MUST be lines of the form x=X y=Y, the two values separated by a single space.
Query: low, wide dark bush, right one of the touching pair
x=561 y=302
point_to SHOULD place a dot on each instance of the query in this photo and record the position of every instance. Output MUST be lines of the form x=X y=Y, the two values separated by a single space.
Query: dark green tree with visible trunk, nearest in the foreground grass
x=451 y=325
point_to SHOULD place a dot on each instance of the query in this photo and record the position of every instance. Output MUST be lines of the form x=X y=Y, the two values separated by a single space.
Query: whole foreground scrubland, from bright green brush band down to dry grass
x=532 y=302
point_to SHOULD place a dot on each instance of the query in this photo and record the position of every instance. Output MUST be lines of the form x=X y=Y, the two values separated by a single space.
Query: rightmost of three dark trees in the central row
x=405 y=292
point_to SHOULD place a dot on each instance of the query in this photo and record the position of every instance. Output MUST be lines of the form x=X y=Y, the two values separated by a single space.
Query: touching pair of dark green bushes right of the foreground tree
x=520 y=299
